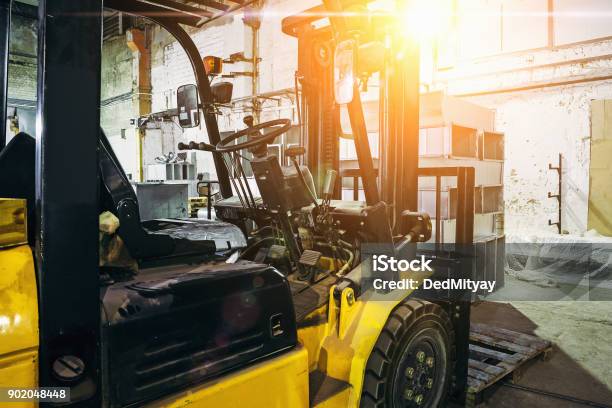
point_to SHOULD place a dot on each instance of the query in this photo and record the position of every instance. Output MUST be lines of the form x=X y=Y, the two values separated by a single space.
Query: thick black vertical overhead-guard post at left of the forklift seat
x=67 y=190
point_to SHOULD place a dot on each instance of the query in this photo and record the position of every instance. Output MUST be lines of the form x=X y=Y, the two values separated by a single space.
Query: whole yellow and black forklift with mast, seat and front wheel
x=279 y=309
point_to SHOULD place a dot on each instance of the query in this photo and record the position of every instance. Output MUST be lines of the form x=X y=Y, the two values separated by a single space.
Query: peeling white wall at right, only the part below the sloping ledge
x=539 y=125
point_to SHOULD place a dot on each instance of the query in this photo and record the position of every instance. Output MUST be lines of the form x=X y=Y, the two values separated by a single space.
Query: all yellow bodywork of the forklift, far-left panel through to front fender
x=338 y=343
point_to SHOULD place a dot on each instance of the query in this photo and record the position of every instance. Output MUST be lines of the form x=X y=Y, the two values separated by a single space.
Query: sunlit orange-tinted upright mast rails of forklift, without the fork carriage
x=397 y=184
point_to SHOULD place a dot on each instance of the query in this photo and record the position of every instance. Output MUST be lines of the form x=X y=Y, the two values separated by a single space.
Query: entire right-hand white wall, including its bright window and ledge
x=538 y=64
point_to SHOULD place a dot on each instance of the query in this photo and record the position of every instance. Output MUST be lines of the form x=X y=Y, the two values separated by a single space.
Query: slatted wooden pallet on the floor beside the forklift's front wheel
x=497 y=353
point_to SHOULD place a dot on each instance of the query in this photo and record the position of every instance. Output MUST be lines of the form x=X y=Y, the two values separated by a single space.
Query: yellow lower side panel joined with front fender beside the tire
x=340 y=347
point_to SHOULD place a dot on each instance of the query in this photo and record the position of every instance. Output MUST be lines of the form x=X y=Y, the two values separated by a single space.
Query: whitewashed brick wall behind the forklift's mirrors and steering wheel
x=171 y=68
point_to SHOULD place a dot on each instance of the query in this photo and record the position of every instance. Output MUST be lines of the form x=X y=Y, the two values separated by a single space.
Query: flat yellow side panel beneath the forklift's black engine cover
x=277 y=383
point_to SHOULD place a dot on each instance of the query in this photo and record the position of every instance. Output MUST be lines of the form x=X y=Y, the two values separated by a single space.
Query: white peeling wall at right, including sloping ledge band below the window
x=539 y=124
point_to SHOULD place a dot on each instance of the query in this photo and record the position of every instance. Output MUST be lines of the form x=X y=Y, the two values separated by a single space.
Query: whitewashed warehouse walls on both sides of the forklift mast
x=538 y=71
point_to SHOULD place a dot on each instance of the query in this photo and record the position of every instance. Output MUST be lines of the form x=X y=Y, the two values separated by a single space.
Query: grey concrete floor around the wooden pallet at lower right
x=581 y=363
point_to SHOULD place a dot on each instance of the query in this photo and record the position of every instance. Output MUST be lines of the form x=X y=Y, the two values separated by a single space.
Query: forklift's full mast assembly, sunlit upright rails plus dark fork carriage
x=398 y=173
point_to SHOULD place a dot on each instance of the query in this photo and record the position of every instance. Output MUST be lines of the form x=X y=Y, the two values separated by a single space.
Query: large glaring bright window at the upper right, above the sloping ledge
x=491 y=27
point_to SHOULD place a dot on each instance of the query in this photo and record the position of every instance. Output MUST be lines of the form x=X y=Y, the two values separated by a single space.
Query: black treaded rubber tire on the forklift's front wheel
x=413 y=322
